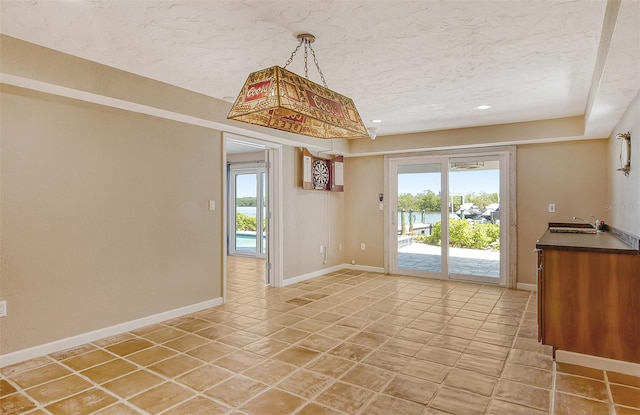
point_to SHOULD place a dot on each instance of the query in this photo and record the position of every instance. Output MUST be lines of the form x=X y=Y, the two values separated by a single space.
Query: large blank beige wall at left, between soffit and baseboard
x=104 y=217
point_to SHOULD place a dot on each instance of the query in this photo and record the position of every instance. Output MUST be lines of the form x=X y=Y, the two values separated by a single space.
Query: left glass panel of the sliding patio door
x=419 y=212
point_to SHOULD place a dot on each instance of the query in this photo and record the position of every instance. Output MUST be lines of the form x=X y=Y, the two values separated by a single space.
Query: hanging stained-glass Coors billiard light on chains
x=280 y=99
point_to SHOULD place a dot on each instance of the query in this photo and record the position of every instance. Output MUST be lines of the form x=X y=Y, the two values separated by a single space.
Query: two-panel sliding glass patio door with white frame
x=447 y=217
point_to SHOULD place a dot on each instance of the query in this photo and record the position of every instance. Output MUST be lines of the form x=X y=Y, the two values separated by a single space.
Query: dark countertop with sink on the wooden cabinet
x=604 y=242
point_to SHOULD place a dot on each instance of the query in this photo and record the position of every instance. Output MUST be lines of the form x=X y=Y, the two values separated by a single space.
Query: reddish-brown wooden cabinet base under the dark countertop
x=589 y=302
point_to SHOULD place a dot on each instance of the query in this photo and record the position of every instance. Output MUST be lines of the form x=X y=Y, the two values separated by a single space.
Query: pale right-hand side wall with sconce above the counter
x=623 y=199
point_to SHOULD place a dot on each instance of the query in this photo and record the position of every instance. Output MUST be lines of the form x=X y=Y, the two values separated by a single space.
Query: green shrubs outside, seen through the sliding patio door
x=466 y=234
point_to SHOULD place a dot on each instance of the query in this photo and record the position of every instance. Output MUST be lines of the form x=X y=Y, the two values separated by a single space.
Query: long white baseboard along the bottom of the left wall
x=69 y=342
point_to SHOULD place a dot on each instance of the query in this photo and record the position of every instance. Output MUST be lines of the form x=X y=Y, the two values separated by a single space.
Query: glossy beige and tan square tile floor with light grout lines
x=346 y=343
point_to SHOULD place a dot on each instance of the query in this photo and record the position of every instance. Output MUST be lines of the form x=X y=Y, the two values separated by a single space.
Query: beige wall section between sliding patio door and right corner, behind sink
x=573 y=175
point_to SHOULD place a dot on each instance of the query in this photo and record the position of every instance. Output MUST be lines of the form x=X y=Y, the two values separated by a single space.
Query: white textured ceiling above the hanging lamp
x=417 y=65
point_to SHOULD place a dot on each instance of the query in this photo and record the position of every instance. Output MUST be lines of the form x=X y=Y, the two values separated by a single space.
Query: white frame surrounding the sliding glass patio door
x=507 y=189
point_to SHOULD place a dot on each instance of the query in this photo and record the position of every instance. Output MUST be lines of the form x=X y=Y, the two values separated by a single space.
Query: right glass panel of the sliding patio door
x=474 y=224
